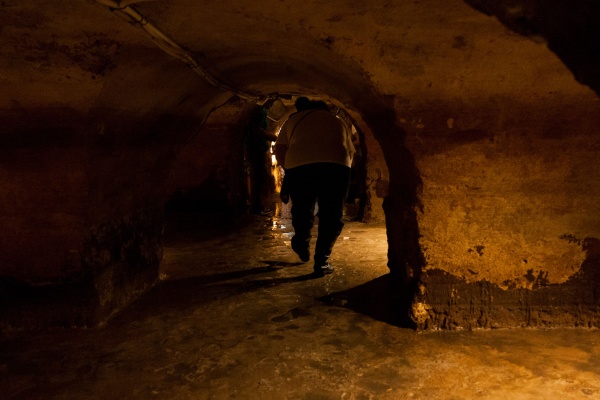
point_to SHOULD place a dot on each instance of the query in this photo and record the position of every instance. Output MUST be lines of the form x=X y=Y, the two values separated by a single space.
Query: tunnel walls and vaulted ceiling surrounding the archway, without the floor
x=479 y=122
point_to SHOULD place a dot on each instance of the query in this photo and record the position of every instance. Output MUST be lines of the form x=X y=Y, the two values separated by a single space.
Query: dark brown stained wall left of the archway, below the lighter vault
x=82 y=208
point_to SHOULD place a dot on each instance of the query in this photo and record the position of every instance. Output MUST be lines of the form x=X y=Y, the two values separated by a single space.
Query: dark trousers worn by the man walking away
x=326 y=184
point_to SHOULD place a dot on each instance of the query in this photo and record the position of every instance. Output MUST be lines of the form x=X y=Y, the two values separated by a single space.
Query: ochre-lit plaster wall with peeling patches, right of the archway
x=511 y=207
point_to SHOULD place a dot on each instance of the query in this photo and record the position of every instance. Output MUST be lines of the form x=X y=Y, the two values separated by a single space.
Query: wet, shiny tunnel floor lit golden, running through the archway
x=238 y=316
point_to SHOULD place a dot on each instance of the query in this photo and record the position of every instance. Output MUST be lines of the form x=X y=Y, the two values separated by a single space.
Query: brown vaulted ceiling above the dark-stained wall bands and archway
x=85 y=54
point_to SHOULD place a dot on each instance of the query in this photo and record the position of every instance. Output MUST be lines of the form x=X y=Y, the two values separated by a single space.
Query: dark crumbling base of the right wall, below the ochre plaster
x=448 y=302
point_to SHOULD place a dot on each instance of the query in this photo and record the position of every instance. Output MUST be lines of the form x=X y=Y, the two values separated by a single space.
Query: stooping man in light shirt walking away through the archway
x=315 y=149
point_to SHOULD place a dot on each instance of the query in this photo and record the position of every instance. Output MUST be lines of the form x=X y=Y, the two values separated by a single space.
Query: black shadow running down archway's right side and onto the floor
x=389 y=298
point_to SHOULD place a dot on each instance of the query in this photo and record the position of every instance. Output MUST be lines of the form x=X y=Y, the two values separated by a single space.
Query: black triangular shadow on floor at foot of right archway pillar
x=382 y=299
